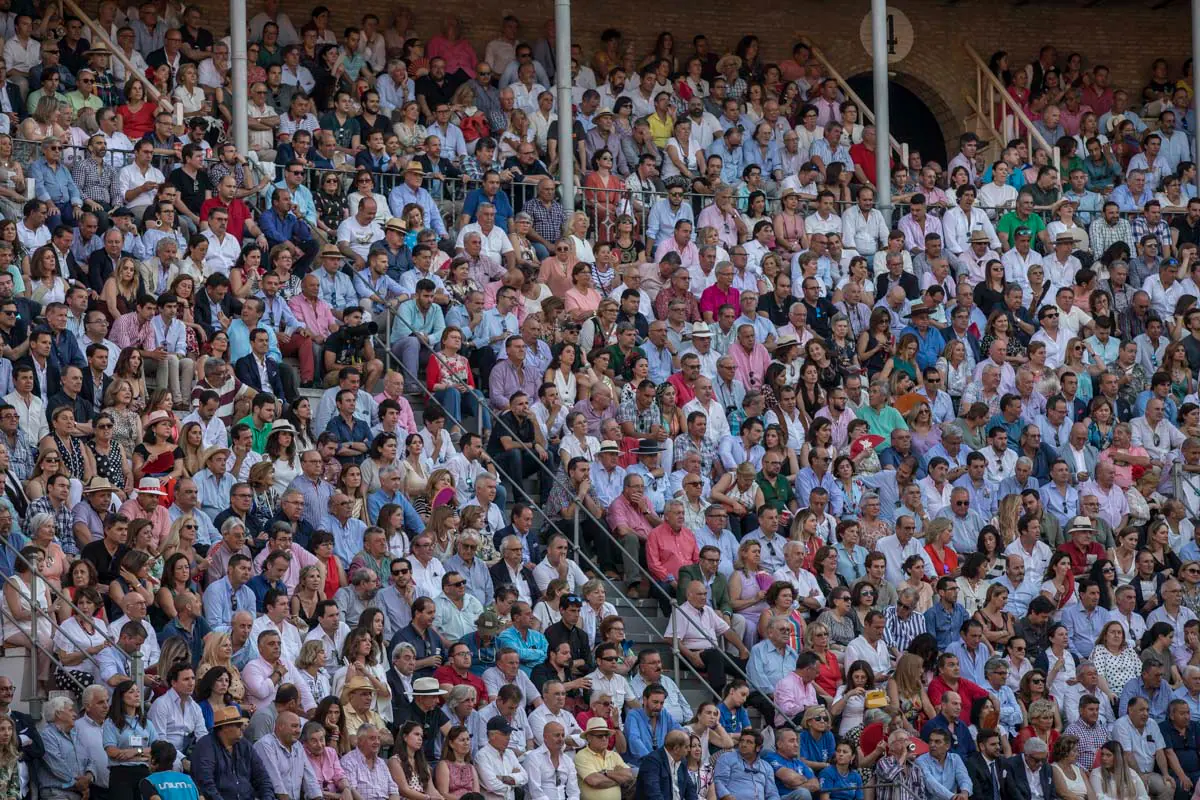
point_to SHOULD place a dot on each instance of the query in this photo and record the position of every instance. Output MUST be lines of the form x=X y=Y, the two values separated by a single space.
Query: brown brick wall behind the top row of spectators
x=938 y=69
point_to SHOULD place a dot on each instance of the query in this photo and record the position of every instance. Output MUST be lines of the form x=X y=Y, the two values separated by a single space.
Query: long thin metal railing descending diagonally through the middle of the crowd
x=574 y=537
